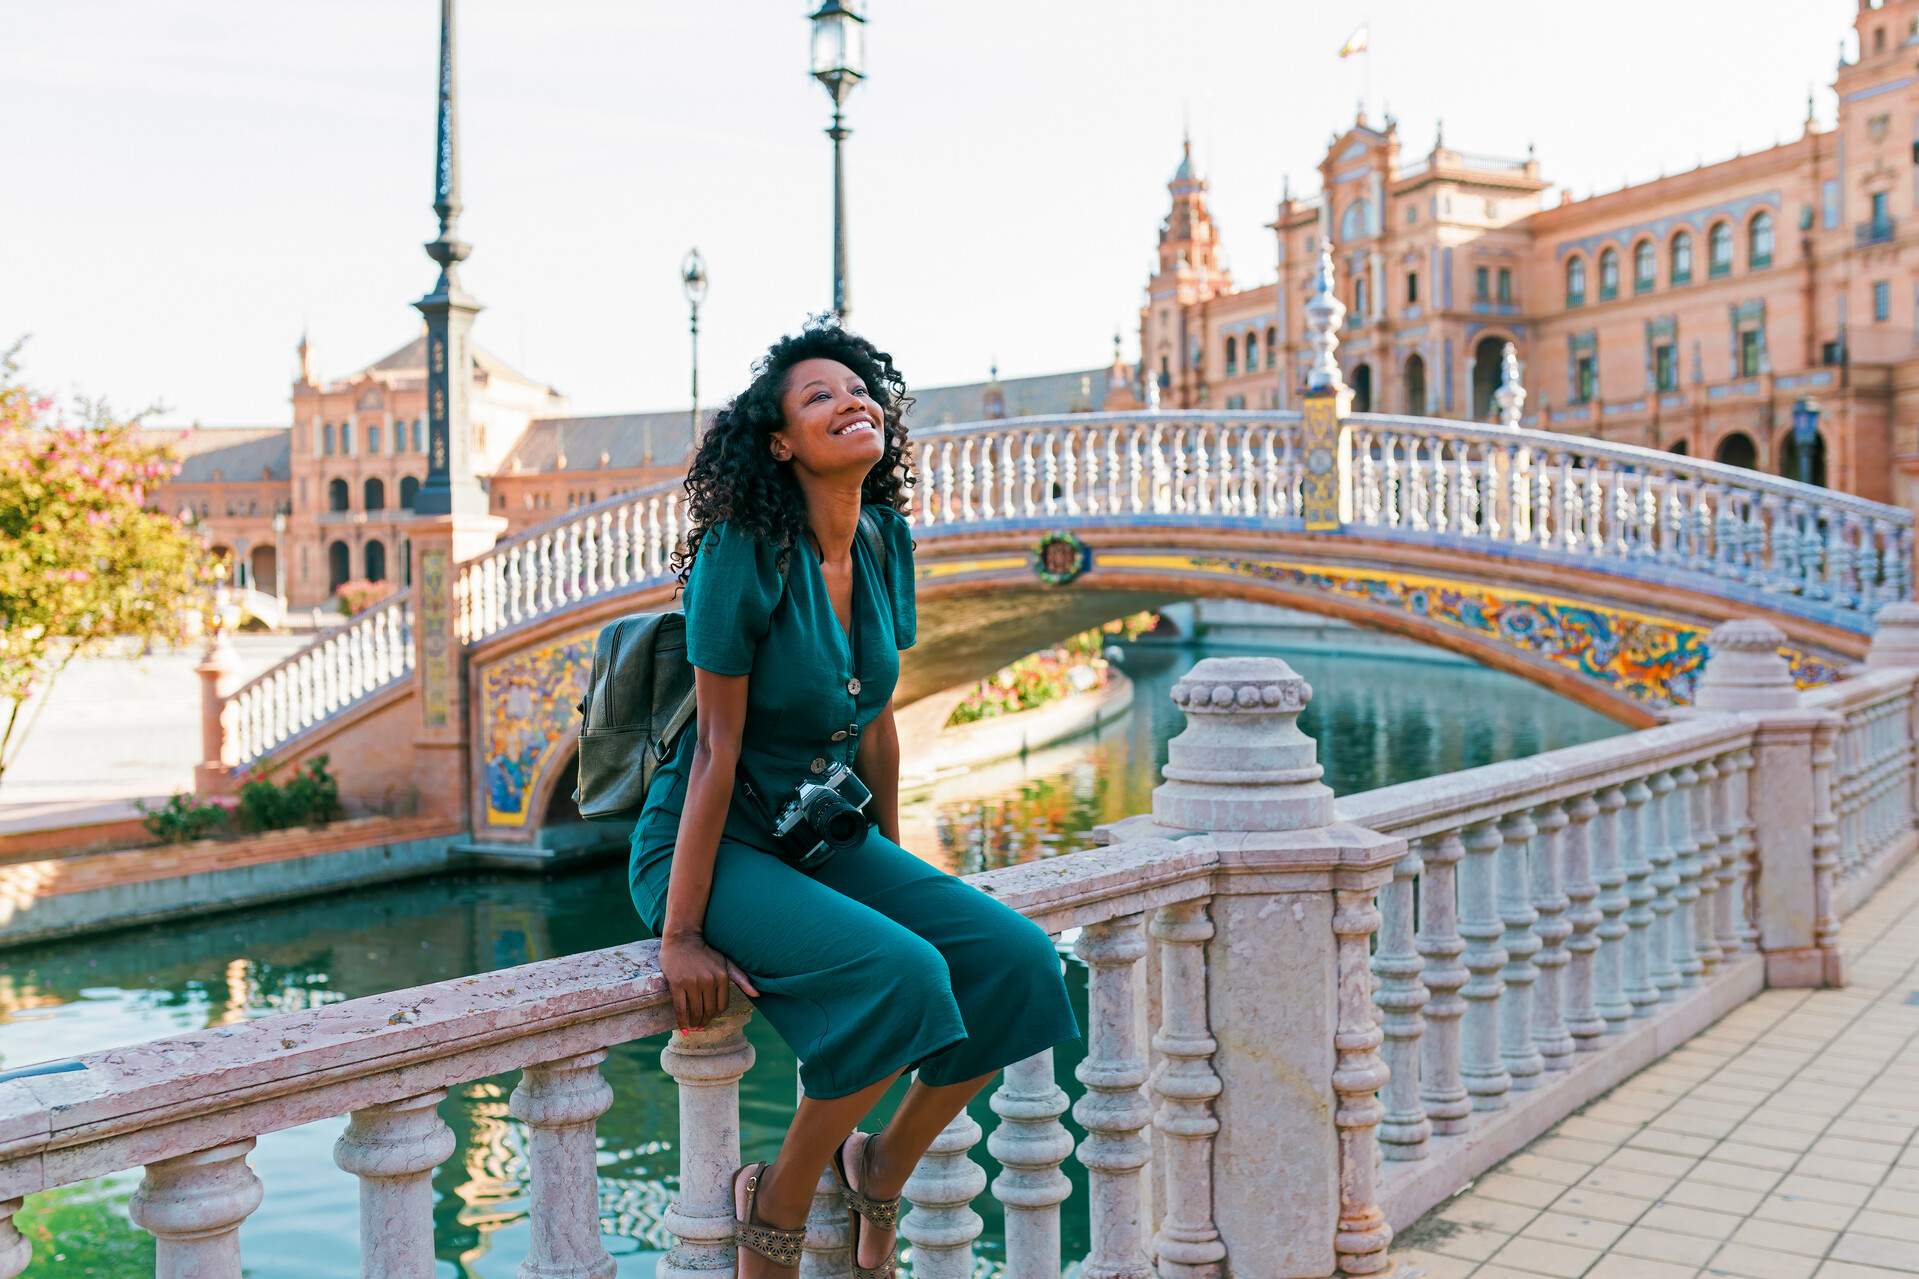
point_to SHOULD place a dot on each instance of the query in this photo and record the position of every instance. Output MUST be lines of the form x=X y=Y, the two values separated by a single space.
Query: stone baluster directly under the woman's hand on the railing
x=707 y=1067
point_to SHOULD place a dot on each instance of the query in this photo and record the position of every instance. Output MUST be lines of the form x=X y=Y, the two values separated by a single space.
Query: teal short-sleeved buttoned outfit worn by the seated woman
x=876 y=961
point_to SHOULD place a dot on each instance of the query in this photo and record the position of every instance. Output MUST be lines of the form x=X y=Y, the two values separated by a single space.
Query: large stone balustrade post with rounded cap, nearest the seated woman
x=1294 y=907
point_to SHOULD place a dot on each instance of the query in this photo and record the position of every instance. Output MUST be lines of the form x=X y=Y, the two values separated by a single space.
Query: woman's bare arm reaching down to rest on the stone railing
x=696 y=973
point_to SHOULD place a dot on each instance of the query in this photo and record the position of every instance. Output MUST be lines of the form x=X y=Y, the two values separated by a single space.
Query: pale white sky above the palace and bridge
x=195 y=183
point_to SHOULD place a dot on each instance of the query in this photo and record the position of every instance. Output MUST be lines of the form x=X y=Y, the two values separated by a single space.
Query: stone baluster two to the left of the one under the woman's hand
x=394 y=1151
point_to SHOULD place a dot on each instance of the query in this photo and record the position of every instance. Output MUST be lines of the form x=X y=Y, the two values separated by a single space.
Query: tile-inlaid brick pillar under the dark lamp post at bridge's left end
x=440 y=744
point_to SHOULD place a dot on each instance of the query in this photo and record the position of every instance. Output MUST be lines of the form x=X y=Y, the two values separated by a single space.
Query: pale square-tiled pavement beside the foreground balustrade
x=1778 y=1146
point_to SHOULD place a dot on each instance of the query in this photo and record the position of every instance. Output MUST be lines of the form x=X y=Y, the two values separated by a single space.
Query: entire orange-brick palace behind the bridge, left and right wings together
x=1688 y=314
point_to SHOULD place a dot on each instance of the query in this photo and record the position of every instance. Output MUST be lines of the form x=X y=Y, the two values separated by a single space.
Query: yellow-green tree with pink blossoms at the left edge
x=82 y=560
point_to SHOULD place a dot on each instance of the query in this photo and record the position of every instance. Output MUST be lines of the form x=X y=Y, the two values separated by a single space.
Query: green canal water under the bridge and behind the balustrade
x=1377 y=721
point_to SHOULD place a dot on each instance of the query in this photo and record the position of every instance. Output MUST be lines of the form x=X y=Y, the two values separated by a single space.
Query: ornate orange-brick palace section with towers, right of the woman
x=1686 y=314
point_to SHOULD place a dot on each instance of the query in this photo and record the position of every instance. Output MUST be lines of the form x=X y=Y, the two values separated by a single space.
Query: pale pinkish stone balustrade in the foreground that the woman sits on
x=1461 y=963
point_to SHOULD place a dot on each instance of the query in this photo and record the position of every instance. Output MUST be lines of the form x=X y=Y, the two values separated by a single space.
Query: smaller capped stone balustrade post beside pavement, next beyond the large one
x=1793 y=898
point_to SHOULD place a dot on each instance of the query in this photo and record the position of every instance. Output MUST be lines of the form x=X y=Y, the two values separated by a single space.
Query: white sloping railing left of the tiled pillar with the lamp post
x=339 y=671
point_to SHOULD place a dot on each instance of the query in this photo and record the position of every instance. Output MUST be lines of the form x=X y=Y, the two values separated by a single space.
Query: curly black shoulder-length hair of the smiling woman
x=734 y=475
